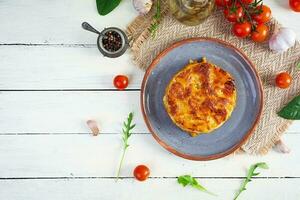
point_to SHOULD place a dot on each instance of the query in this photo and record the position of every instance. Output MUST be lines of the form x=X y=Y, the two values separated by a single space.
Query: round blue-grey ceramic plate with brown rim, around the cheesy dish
x=234 y=132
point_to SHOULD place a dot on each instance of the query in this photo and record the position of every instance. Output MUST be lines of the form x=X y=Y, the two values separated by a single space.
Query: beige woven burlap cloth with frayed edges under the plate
x=270 y=127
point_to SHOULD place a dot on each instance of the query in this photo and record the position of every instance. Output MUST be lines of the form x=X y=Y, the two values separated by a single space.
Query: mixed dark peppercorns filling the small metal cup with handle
x=112 y=41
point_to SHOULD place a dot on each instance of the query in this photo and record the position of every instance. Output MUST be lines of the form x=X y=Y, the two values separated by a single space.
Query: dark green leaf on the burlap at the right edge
x=291 y=110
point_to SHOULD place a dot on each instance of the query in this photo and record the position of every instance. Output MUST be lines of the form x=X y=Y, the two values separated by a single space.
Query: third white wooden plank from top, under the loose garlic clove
x=68 y=111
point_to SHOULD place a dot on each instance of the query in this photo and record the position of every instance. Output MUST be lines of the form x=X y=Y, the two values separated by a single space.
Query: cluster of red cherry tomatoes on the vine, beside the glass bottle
x=249 y=18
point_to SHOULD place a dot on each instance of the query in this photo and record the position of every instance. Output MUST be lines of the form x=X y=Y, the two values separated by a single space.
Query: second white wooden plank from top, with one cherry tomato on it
x=62 y=67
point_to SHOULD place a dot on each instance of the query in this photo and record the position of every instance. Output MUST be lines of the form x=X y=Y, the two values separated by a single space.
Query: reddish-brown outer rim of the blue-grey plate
x=168 y=147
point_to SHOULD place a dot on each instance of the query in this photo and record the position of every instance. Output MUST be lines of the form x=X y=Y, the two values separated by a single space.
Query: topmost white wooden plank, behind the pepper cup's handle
x=59 y=21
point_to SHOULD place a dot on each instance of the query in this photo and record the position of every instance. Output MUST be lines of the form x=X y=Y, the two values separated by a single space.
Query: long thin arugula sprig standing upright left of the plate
x=126 y=134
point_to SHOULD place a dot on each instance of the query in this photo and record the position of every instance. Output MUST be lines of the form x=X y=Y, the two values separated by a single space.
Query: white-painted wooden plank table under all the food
x=53 y=79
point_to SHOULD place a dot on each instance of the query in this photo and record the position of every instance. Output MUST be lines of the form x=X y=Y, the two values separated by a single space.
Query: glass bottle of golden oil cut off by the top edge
x=191 y=12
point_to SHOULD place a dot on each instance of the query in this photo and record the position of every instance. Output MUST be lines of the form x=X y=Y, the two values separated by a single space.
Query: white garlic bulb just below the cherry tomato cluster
x=282 y=40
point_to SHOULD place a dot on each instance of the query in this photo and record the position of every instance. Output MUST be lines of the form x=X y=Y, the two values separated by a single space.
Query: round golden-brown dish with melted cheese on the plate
x=200 y=97
